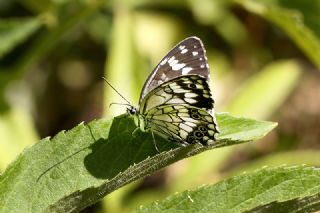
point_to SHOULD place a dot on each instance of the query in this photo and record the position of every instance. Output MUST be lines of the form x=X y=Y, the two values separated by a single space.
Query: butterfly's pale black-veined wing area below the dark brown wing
x=181 y=110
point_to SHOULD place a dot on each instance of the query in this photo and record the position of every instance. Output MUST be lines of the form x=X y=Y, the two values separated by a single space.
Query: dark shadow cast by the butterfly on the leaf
x=120 y=150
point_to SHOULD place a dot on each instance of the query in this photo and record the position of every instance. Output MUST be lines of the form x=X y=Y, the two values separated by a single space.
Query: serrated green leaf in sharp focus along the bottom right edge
x=280 y=189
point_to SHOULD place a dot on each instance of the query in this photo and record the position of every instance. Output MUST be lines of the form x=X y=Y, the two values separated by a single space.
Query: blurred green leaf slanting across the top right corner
x=291 y=21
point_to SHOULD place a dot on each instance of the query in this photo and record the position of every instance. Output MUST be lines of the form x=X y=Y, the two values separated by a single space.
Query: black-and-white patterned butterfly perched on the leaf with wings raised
x=176 y=101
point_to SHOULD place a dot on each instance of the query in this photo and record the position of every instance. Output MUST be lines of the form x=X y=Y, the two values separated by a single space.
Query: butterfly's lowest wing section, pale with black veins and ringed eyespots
x=183 y=124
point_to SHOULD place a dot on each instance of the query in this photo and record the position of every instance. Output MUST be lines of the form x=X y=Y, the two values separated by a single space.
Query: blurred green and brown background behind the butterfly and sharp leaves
x=264 y=58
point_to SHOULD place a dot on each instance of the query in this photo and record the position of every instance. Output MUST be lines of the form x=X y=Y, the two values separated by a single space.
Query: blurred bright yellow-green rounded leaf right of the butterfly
x=270 y=88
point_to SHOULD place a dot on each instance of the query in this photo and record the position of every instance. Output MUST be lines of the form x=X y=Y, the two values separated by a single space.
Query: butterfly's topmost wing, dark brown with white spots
x=187 y=57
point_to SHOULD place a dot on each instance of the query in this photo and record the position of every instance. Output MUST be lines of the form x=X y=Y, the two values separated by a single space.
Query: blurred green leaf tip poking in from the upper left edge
x=15 y=31
